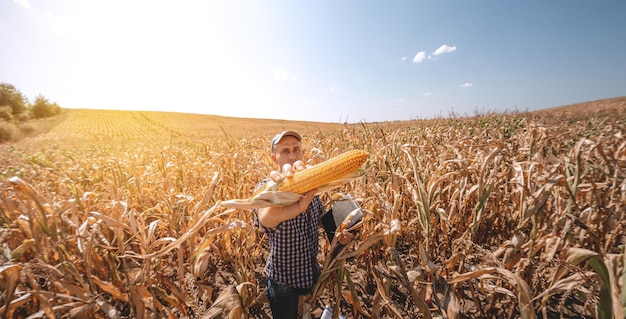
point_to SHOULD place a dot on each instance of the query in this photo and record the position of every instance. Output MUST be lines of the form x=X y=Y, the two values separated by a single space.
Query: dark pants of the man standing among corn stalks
x=284 y=299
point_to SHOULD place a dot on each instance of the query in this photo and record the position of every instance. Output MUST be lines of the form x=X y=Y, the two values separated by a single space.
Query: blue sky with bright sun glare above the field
x=315 y=60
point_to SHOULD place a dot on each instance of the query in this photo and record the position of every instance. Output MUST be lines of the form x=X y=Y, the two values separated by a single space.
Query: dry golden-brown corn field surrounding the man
x=116 y=214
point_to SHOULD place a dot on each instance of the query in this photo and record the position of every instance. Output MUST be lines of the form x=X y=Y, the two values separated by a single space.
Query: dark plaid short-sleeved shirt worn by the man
x=294 y=245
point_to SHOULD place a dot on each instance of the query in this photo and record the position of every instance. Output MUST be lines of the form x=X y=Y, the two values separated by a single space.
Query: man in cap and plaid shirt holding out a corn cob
x=292 y=268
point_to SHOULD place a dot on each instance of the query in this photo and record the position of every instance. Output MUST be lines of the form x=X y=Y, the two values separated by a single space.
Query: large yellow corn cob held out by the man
x=323 y=173
